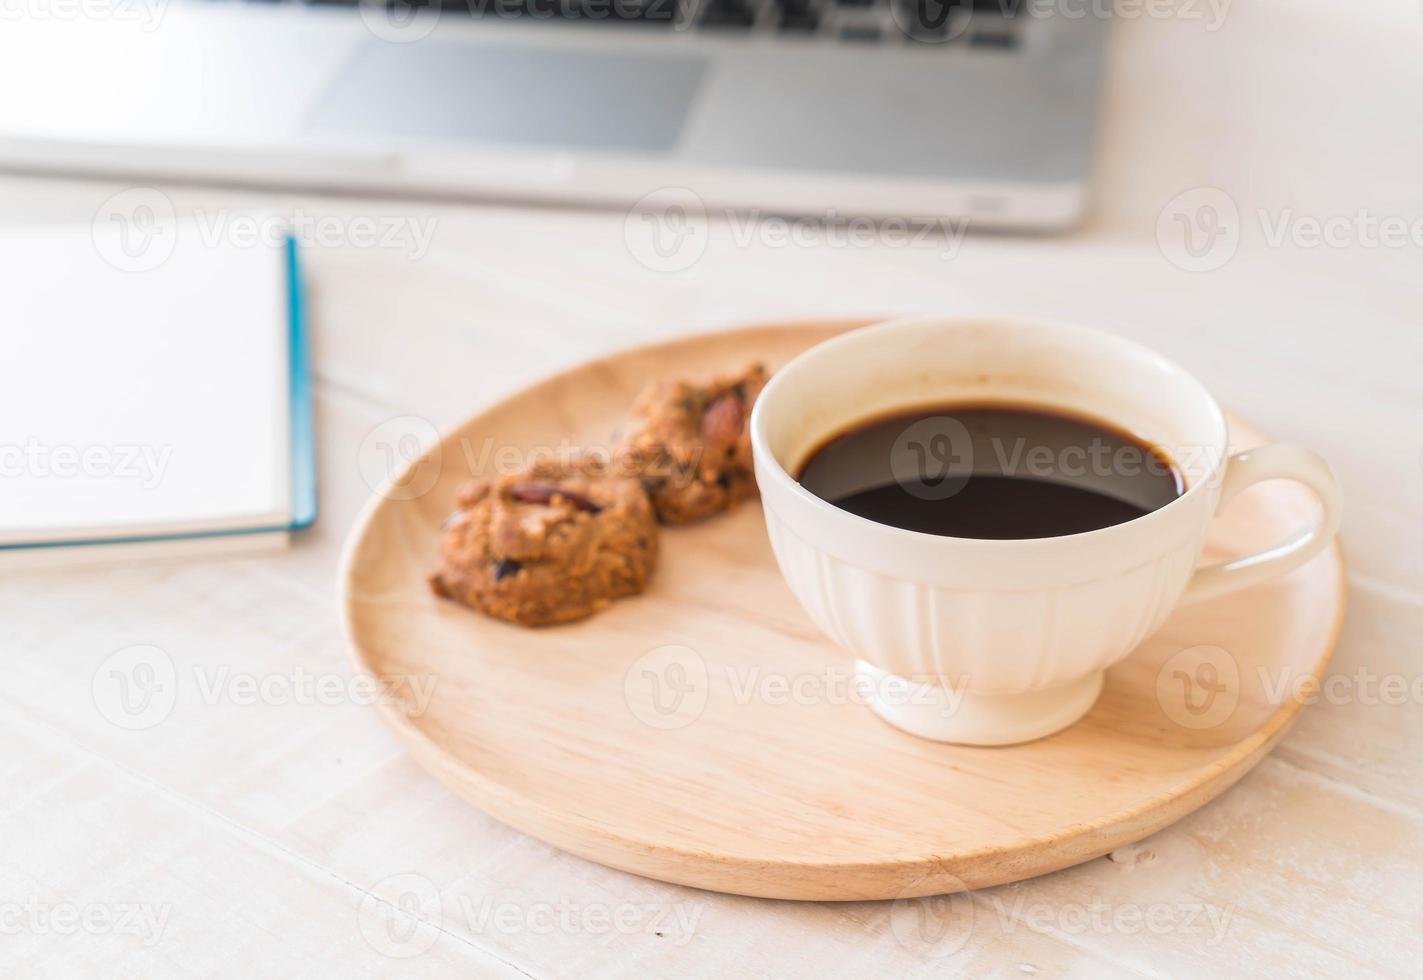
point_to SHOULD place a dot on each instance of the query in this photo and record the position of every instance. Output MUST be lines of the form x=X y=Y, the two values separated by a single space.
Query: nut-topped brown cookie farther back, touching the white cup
x=689 y=444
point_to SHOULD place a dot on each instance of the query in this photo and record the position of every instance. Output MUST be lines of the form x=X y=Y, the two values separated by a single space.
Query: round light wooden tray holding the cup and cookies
x=707 y=735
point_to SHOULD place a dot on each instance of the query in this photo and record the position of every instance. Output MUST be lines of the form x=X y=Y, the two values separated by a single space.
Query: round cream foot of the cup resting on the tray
x=967 y=719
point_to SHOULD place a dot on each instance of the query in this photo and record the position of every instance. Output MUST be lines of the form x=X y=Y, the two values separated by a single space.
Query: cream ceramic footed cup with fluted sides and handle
x=997 y=642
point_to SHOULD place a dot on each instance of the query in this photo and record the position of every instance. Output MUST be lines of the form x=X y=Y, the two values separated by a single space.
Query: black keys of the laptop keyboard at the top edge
x=983 y=25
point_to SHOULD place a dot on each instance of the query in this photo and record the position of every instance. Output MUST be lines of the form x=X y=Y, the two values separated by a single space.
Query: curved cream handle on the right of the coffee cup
x=1252 y=467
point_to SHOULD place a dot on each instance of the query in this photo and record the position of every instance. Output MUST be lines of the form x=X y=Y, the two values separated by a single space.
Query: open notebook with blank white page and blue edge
x=152 y=408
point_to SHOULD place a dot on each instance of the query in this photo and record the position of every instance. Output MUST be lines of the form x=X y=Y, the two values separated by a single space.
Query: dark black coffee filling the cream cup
x=991 y=472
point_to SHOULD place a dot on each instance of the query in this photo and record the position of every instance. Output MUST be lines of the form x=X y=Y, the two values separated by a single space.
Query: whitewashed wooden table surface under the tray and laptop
x=261 y=831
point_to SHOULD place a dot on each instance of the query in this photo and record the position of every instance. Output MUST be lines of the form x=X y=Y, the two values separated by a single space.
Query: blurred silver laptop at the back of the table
x=973 y=110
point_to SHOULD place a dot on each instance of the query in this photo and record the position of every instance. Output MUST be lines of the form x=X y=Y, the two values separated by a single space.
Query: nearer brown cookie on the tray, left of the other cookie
x=551 y=544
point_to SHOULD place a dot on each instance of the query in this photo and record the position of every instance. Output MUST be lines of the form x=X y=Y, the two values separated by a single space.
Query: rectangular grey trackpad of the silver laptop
x=512 y=95
